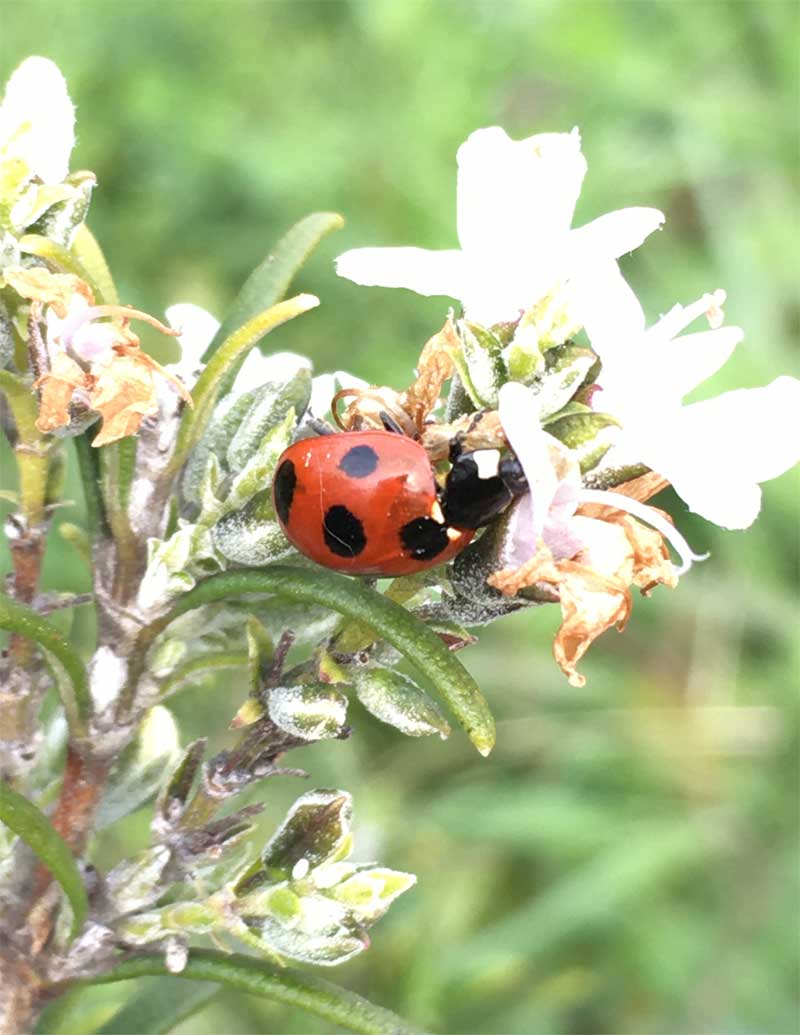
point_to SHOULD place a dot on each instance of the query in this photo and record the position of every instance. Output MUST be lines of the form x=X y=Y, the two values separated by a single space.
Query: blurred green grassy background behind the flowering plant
x=627 y=861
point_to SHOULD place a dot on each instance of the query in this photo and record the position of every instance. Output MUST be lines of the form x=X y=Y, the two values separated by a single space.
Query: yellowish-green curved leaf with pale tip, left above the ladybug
x=234 y=348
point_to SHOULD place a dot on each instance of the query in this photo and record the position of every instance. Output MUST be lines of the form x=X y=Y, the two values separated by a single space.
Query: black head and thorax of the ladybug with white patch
x=480 y=487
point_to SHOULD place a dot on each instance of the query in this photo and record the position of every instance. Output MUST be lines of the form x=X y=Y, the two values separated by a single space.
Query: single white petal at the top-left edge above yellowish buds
x=38 y=121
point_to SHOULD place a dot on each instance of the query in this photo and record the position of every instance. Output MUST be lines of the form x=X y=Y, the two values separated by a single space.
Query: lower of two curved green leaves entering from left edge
x=35 y=829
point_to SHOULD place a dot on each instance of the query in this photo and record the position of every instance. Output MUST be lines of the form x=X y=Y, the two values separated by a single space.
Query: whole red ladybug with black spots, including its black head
x=367 y=502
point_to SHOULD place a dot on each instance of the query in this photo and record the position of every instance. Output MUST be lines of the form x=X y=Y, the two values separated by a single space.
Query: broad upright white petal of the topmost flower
x=517 y=195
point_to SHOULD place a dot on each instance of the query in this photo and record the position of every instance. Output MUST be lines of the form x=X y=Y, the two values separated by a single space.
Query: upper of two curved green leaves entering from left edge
x=71 y=674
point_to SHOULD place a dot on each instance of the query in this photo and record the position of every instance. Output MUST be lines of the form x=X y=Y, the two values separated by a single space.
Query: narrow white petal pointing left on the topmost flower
x=419 y=270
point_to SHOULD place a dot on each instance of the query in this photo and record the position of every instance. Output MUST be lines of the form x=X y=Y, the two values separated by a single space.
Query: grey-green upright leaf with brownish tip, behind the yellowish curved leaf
x=270 y=282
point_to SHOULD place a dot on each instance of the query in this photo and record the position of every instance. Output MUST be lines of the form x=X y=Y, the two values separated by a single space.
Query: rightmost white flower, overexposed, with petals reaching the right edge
x=717 y=453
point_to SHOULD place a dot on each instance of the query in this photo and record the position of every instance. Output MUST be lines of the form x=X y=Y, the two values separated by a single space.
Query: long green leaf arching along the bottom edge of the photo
x=280 y=985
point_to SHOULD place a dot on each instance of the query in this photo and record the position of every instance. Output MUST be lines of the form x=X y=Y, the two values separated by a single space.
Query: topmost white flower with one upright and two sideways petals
x=516 y=201
